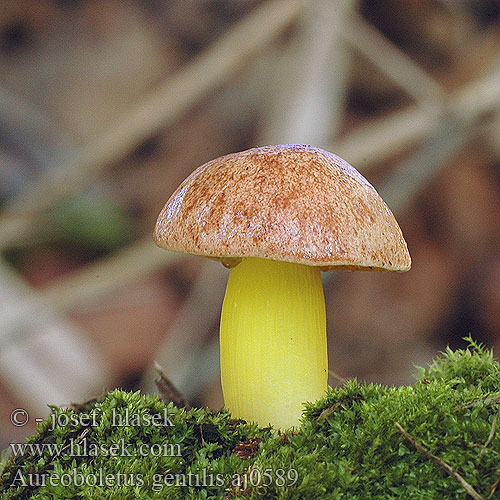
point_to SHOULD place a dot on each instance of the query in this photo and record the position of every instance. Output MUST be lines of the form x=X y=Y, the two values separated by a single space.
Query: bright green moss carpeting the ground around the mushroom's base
x=348 y=445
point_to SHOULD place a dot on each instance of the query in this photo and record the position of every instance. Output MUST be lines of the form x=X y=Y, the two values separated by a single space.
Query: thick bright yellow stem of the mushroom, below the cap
x=273 y=341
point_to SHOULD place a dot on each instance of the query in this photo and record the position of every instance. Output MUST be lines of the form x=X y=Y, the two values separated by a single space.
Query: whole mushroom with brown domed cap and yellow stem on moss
x=276 y=216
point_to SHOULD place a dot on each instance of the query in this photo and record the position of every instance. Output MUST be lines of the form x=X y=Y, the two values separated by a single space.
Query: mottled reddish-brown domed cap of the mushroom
x=291 y=203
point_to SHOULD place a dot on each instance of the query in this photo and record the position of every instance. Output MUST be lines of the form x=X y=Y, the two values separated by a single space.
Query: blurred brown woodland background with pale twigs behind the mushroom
x=106 y=106
